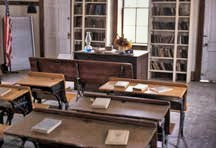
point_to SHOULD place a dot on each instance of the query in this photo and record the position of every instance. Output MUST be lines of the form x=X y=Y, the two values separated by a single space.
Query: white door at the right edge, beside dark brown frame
x=209 y=42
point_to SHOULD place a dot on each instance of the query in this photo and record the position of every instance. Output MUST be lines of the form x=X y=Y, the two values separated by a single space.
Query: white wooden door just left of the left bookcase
x=57 y=22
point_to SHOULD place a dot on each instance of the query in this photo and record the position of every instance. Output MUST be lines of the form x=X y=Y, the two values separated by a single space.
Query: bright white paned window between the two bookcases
x=135 y=20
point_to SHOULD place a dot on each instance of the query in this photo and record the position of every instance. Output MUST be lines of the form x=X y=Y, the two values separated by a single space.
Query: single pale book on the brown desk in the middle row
x=101 y=103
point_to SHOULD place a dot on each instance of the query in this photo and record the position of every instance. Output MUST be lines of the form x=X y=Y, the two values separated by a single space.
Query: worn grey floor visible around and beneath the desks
x=200 y=122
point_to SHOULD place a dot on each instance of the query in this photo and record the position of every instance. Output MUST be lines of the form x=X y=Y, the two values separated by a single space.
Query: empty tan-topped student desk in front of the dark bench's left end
x=46 y=84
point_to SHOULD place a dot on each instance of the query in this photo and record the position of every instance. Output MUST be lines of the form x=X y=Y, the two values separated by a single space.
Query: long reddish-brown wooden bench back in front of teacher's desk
x=87 y=74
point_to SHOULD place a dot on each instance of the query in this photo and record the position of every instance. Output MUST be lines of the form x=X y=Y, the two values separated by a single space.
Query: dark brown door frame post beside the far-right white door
x=199 y=52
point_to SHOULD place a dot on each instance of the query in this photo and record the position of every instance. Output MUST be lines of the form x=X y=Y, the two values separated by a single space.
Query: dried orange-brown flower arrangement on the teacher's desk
x=122 y=43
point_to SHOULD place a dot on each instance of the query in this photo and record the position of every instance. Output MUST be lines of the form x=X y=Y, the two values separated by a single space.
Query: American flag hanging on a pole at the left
x=7 y=35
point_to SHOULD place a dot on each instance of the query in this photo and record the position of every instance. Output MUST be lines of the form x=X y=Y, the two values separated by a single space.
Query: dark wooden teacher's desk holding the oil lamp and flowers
x=139 y=60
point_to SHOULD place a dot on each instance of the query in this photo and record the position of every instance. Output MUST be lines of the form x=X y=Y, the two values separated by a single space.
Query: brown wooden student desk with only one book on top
x=129 y=107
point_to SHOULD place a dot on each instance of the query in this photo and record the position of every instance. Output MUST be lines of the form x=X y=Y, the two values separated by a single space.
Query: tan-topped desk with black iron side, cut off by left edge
x=18 y=100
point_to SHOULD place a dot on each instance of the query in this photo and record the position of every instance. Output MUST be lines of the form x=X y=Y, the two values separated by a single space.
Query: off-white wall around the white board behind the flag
x=20 y=11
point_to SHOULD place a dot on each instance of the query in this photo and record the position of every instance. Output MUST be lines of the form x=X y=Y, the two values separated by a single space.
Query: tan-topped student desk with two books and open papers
x=177 y=96
